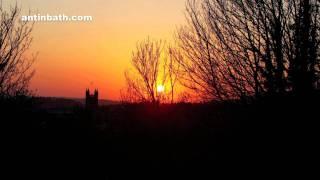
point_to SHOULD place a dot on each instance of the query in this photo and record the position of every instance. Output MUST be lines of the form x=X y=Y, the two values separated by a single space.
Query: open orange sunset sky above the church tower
x=73 y=56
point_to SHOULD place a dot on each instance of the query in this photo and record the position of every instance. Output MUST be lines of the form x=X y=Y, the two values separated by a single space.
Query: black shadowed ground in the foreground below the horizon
x=198 y=141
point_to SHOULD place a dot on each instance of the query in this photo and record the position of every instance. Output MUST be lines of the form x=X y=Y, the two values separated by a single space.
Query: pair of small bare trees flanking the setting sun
x=153 y=65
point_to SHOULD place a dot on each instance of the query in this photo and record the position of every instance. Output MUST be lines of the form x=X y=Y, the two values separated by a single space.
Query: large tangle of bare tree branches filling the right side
x=234 y=49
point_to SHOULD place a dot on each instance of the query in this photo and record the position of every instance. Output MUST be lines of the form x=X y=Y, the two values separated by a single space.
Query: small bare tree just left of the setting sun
x=142 y=80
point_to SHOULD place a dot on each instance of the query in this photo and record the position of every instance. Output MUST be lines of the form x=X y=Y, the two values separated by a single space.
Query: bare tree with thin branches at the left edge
x=15 y=39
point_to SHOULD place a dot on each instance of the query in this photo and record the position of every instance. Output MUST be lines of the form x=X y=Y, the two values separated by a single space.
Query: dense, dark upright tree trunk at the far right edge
x=304 y=63
